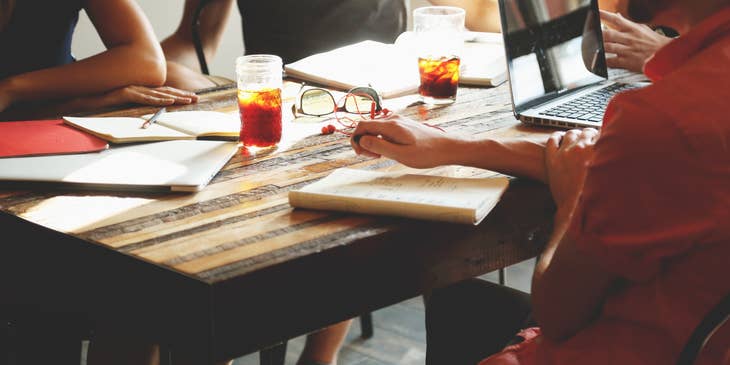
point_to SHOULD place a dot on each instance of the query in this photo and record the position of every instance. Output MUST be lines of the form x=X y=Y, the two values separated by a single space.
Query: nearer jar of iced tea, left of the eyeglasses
x=259 y=99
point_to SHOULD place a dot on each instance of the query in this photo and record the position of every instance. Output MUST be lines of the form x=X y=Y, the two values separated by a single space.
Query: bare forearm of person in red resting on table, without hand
x=512 y=156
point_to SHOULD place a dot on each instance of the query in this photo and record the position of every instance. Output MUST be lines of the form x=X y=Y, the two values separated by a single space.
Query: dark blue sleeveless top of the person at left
x=38 y=35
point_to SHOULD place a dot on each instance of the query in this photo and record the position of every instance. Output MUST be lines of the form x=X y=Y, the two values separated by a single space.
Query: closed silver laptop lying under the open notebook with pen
x=170 y=166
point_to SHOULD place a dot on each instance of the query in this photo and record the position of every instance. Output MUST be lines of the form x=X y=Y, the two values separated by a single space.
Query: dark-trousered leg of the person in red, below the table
x=469 y=321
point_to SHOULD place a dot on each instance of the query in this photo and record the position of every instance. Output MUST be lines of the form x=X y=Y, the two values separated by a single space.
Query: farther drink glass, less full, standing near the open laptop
x=438 y=31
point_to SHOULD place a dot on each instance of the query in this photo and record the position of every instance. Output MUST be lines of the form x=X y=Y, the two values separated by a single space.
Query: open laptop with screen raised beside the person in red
x=556 y=63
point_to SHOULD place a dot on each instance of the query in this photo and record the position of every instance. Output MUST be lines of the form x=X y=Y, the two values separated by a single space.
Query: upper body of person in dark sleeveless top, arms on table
x=37 y=65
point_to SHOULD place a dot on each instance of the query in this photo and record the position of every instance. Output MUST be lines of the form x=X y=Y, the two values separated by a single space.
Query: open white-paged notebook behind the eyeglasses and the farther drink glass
x=392 y=69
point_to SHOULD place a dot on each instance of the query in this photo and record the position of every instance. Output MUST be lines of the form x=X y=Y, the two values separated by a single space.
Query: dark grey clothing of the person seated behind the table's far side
x=294 y=29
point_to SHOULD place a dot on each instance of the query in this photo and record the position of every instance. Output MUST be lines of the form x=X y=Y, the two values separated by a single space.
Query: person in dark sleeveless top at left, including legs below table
x=38 y=72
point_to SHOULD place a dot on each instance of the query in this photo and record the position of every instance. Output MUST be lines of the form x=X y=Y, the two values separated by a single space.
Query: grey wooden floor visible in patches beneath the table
x=400 y=334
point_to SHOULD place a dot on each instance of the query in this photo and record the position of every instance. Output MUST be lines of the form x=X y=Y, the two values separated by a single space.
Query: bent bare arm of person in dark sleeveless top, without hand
x=133 y=57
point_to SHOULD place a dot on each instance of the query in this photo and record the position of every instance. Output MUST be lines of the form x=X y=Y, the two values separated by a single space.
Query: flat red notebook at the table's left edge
x=45 y=137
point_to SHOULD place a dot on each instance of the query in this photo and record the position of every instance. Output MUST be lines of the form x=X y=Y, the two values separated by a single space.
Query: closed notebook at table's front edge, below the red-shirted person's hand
x=439 y=198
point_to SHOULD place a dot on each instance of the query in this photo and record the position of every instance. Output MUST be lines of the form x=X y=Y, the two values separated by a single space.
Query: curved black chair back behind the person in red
x=713 y=320
